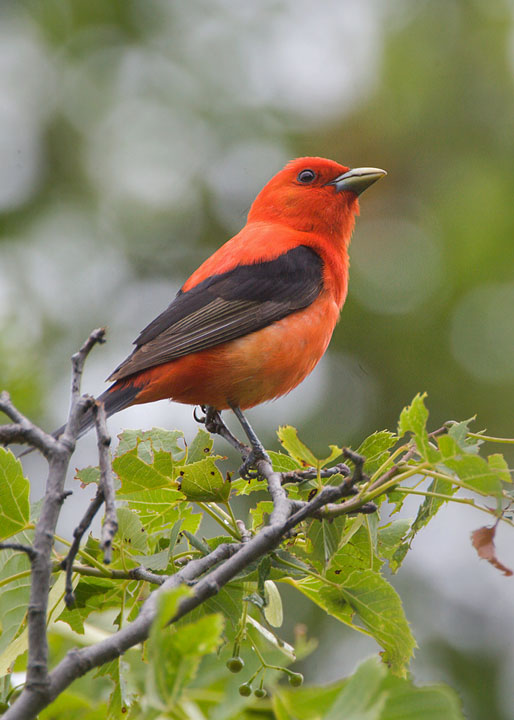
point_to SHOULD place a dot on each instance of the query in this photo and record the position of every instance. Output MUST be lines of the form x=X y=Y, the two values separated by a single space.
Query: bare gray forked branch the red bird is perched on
x=206 y=575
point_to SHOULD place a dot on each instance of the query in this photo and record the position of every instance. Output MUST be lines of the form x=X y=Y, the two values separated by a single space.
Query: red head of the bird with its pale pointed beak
x=314 y=195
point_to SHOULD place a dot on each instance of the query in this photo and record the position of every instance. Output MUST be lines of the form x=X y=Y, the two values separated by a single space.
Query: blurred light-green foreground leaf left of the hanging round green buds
x=175 y=652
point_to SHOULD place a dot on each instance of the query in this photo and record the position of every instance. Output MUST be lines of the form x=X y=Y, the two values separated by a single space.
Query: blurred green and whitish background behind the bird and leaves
x=134 y=134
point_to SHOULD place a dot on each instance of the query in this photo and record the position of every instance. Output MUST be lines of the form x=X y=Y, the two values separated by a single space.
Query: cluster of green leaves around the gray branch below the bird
x=166 y=489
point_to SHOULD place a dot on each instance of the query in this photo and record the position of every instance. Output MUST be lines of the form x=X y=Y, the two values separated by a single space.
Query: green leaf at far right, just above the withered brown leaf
x=473 y=470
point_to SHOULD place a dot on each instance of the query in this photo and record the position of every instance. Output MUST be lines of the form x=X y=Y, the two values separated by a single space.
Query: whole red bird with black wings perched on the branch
x=256 y=317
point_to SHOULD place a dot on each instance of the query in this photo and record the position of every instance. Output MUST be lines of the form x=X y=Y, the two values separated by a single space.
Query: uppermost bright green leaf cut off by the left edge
x=14 y=496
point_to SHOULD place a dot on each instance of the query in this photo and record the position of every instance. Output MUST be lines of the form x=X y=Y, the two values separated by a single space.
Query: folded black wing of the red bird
x=227 y=306
